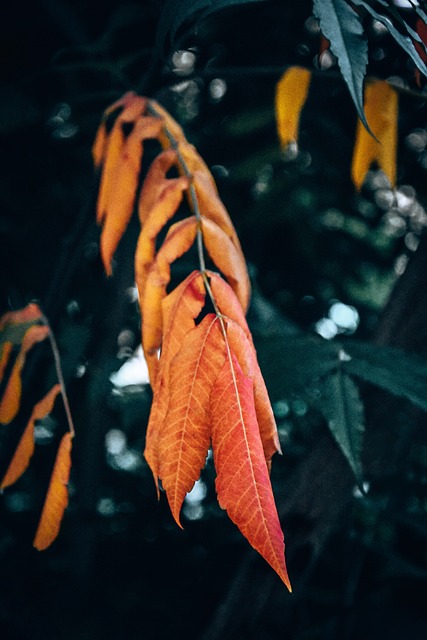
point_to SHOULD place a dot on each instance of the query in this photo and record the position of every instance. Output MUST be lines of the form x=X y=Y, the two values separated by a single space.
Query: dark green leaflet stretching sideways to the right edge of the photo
x=397 y=372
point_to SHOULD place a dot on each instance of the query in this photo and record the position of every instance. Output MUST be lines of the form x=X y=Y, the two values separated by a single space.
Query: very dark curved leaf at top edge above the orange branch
x=176 y=12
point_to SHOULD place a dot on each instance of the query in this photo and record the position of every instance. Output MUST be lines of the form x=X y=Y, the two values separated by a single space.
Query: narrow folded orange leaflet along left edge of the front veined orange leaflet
x=179 y=309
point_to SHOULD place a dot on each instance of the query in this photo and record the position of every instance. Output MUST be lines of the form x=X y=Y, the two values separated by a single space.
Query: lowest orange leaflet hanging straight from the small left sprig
x=57 y=497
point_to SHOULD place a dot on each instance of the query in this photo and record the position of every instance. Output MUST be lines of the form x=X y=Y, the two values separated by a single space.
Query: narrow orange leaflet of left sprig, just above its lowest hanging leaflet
x=25 y=449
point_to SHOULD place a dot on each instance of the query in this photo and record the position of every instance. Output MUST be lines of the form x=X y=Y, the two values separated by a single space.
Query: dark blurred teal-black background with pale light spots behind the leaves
x=328 y=265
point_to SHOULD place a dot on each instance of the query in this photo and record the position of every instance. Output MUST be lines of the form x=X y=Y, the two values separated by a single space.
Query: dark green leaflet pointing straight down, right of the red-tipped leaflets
x=343 y=409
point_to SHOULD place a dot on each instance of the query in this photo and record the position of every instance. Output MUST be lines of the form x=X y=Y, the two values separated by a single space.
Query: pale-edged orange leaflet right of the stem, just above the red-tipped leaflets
x=228 y=259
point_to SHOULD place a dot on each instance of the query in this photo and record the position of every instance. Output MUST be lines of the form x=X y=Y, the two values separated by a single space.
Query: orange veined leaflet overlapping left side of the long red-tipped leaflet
x=185 y=437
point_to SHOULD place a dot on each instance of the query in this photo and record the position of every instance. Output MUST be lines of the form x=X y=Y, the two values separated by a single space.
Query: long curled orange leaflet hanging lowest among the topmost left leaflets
x=119 y=208
